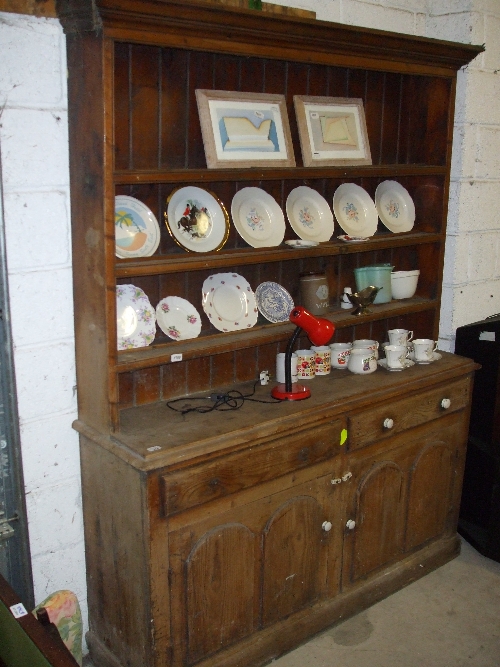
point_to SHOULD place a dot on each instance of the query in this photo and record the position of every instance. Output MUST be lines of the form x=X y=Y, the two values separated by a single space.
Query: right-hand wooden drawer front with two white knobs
x=368 y=426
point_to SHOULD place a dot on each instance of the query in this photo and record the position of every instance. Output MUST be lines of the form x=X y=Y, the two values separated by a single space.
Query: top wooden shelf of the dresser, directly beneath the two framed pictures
x=180 y=176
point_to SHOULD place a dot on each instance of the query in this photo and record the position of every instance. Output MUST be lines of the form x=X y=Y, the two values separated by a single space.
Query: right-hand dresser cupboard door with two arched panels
x=405 y=494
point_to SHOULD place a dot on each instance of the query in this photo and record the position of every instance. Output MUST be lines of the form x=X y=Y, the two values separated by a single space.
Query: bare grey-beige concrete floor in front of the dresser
x=450 y=618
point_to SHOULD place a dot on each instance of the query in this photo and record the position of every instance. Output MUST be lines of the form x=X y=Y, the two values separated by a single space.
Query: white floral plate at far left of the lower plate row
x=135 y=318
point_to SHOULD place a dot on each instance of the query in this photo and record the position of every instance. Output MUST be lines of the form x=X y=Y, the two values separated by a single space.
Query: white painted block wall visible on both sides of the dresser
x=33 y=145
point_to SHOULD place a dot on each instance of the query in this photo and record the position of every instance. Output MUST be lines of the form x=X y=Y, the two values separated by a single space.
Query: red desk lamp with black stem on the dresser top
x=319 y=331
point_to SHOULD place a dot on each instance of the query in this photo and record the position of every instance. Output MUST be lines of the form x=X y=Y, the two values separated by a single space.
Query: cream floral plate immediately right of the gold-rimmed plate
x=258 y=218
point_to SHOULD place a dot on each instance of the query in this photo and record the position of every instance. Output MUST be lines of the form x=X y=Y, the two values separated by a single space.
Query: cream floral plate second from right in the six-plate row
x=355 y=210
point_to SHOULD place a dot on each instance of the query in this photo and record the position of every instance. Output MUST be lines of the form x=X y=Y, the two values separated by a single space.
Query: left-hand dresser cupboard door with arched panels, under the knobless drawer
x=247 y=568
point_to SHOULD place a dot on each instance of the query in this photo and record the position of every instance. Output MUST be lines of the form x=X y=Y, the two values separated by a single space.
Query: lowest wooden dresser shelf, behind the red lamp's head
x=262 y=334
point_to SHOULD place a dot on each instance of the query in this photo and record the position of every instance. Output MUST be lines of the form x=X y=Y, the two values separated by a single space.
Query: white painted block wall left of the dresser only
x=34 y=156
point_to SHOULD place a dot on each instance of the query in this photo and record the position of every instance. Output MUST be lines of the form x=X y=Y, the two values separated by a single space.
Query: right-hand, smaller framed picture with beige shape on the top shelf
x=332 y=131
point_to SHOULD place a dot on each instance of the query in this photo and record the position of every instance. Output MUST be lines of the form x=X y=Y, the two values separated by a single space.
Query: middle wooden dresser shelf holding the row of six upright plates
x=158 y=265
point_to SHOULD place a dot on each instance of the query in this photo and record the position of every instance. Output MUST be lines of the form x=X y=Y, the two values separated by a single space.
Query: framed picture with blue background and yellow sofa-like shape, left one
x=244 y=129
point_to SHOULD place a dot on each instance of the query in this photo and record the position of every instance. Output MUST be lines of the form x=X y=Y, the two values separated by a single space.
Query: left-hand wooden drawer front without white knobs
x=197 y=485
